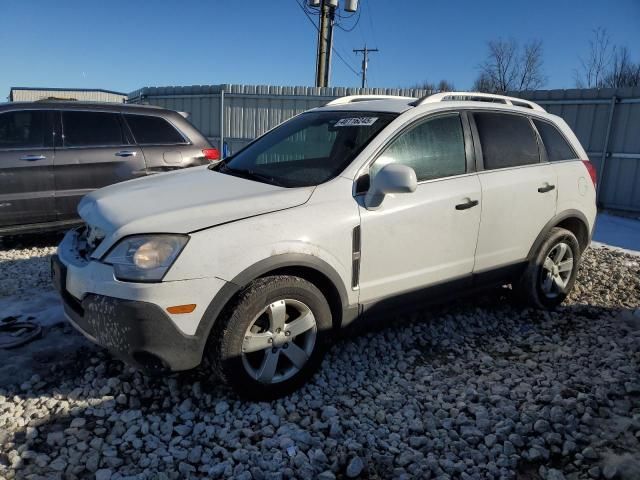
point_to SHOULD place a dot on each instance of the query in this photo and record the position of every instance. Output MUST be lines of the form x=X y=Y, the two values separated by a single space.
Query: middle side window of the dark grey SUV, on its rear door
x=91 y=129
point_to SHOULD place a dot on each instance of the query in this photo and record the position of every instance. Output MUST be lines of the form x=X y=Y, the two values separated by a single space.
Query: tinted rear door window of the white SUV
x=507 y=140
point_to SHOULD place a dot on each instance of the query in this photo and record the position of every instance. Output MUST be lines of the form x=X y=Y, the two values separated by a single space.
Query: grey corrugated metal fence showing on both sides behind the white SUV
x=251 y=110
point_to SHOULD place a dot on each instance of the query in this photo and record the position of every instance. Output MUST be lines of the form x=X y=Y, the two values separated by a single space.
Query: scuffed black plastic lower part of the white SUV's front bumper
x=139 y=333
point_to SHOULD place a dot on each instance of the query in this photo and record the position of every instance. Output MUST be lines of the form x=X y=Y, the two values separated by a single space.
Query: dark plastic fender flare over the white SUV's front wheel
x=230 y=289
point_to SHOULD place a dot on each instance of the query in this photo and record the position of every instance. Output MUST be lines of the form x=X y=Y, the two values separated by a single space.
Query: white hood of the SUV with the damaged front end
x=183 y=201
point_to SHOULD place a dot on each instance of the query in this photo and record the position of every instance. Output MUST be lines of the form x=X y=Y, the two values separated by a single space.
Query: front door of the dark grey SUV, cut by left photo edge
x=26 y=167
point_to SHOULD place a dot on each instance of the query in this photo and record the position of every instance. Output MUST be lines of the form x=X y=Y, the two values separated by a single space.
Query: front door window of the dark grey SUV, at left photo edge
x=22 y=129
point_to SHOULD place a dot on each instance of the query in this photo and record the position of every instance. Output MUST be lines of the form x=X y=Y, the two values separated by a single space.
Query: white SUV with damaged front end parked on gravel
x=342 y=212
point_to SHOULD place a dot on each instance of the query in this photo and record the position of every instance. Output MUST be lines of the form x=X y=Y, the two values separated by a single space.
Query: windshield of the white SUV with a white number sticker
x=309 y=149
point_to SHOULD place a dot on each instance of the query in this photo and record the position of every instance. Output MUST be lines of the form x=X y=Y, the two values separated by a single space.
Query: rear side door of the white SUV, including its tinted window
x=518 y=188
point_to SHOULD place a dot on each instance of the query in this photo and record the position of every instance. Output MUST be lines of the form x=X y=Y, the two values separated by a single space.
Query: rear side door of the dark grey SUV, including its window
x=96 y=151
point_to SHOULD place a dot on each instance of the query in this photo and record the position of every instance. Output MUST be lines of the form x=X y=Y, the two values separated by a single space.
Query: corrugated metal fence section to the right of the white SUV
x=607 y=122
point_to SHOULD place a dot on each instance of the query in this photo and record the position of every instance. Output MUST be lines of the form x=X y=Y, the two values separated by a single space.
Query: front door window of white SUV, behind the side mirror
x=434 y=149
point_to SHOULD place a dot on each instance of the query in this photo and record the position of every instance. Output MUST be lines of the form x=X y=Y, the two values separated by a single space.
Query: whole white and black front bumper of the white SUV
x=129 y=318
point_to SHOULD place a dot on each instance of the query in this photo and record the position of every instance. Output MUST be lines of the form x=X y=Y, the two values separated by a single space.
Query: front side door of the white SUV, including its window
x=427 y=237
